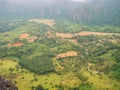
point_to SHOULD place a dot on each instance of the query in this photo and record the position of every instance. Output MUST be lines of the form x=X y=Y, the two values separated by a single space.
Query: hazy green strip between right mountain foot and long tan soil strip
x=70 y=27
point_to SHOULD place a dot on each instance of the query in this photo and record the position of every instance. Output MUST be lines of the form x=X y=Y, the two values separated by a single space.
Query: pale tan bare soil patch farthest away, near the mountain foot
x=49 y=22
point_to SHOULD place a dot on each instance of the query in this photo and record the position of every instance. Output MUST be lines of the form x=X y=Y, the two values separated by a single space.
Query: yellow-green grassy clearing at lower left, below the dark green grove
x=25 y=79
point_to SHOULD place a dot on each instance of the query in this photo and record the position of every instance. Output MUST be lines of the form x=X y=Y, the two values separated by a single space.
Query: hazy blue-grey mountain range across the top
x=92 y=12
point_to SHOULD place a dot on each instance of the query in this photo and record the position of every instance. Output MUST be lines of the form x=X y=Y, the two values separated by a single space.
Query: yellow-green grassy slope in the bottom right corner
x=102 y=82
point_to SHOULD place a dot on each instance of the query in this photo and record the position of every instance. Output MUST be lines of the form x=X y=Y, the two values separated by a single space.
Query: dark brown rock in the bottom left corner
x=6 y=85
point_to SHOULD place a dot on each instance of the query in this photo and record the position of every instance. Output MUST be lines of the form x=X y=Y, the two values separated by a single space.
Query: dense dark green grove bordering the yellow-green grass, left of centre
x=39 y=65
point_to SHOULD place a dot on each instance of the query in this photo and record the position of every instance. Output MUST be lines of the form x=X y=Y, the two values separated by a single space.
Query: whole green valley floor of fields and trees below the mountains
x=33 y=58
